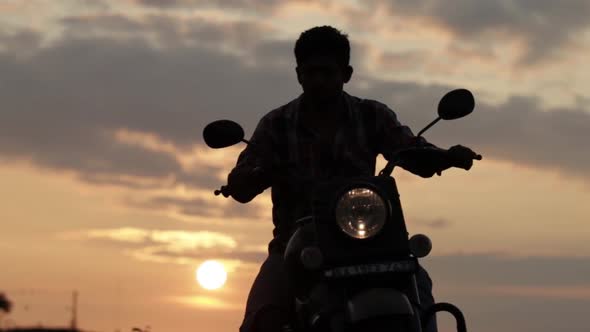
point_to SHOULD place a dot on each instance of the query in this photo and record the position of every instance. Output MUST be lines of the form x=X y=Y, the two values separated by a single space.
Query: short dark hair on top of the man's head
x=324 y=40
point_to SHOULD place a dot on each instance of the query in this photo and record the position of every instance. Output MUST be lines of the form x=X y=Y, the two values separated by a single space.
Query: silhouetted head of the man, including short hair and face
x=323 y=56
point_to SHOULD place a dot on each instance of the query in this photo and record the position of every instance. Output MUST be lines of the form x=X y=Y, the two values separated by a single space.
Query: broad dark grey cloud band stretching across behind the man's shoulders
x=62 y=104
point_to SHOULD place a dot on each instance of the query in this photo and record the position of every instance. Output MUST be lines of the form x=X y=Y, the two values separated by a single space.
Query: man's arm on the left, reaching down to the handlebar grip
x=250 y=176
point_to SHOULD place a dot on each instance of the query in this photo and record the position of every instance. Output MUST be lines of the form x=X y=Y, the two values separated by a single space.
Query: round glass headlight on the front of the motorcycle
x=361 y=213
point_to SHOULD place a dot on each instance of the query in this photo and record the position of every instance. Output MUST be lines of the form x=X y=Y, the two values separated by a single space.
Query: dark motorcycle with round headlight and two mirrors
x=351 y=263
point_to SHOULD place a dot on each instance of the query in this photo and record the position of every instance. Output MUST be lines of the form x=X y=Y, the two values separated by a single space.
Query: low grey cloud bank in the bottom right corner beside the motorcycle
x=503 y=293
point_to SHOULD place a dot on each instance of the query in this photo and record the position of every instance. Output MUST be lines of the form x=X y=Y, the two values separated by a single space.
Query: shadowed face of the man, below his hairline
x=322 y=78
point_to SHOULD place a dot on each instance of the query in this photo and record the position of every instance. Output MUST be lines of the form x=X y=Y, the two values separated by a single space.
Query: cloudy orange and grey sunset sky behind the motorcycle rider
x=107 y=186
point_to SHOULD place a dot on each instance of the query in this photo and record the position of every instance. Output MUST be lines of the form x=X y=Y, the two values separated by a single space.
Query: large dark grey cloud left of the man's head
x=130 y=83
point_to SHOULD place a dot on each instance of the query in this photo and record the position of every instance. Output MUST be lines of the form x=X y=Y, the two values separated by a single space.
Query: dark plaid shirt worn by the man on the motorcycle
x=368 y=128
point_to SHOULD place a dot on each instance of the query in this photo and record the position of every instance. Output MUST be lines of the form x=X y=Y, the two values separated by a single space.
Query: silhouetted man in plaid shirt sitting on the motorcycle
x=323 y=133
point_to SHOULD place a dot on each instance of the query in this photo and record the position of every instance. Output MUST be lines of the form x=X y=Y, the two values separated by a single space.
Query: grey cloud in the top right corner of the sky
x=544 y=27
